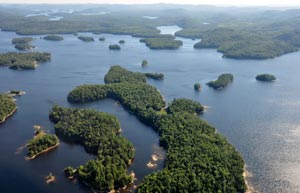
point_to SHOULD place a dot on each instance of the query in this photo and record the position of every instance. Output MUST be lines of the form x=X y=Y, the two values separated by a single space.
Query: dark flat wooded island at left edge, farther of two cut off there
x=23 y=61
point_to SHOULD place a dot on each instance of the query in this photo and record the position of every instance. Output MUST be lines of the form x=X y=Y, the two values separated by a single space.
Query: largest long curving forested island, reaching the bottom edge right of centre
x=198 y=158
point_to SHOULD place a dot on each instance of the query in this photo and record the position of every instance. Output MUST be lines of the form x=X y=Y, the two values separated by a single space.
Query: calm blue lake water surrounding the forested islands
x=261 y=120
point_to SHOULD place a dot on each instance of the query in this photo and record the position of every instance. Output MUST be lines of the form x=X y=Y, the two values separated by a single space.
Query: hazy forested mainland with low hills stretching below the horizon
x=236 y=36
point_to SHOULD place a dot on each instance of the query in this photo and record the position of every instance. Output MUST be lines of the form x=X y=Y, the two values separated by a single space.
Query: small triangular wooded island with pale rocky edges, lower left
x=41 y=143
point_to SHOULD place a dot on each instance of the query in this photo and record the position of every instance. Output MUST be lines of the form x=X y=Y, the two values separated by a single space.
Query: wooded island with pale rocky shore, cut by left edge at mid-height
x=7 y=107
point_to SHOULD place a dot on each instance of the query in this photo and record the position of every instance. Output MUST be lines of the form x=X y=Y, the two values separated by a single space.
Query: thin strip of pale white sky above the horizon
x=205 y=2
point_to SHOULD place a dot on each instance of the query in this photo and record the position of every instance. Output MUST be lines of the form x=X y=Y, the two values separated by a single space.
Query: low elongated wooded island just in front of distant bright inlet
x=162 y=43
